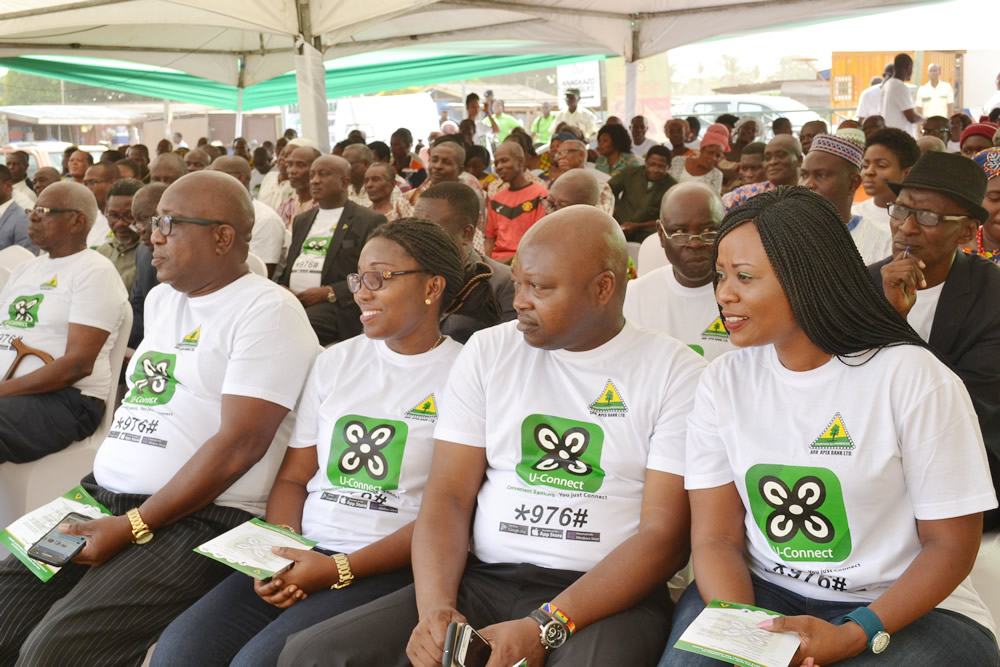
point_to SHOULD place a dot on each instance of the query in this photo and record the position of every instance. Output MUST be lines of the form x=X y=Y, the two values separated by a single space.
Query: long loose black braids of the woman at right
x=818 y=266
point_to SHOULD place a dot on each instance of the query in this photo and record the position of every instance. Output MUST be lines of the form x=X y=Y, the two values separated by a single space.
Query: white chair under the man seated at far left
x=25 y=486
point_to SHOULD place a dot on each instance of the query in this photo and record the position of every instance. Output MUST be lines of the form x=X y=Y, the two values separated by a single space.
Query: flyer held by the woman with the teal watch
x=728 y=631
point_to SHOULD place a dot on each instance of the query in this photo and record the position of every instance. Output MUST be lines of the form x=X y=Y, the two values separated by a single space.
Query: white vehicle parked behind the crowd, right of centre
x=766 y=107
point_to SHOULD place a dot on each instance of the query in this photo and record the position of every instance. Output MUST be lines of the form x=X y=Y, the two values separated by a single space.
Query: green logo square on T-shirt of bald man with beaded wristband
x=562 y=453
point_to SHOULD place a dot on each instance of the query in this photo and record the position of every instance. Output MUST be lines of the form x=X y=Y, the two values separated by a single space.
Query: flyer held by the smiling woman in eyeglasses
x=247 y=548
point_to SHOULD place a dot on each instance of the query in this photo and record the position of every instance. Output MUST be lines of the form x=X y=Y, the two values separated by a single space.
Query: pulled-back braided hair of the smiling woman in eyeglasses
x=467 y=289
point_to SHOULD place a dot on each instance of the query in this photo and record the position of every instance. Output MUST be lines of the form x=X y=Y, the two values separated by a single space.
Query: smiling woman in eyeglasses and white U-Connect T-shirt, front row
x=354 y=472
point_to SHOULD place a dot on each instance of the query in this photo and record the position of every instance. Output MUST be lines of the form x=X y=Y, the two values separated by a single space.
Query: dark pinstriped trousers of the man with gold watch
x=112 y=614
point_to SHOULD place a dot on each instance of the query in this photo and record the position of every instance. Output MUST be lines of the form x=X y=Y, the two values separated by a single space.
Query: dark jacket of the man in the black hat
x=966 y=332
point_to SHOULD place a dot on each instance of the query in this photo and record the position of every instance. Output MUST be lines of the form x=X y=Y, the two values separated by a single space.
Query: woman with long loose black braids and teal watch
x=836 y=470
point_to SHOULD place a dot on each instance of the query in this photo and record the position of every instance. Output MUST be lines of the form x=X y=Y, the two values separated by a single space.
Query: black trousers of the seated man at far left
x=35 y=426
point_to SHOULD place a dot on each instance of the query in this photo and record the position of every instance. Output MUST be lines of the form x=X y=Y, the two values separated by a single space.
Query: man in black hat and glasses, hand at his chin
x=952 y=300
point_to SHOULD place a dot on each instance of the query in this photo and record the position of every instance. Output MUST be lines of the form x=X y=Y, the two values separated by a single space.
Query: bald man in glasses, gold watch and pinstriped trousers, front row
x=189 y=455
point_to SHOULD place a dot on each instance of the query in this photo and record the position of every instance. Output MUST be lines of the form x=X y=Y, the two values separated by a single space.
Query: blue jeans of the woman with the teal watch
x=938 y=638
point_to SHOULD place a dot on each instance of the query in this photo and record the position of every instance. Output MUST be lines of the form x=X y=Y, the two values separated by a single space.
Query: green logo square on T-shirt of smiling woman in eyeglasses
x=366 y=453
